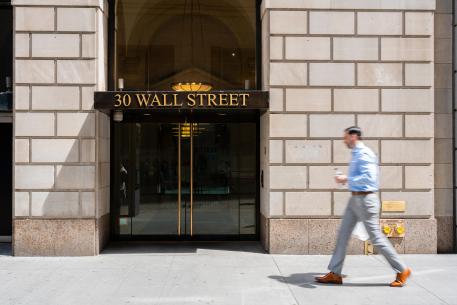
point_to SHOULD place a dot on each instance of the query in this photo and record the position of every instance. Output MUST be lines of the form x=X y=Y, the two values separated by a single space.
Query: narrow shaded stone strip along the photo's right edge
x=443 y=126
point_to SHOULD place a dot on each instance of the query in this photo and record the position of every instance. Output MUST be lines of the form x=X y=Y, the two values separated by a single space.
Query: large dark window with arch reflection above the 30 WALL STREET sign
x=159 y=42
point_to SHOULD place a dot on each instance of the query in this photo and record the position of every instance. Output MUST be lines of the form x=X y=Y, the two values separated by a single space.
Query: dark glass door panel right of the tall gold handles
x=215 y=198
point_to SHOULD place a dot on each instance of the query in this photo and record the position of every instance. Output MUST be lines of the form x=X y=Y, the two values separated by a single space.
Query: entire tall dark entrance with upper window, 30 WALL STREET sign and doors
x=185 y=154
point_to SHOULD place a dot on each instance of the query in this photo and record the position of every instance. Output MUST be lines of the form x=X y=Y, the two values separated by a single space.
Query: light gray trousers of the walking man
x=363 y=208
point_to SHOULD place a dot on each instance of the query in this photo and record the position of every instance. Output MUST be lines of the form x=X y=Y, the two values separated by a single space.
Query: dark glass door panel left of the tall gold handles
x=156 y=192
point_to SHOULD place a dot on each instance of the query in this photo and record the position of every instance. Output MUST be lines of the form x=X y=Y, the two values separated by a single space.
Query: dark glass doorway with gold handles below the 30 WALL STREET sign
x=186 y=177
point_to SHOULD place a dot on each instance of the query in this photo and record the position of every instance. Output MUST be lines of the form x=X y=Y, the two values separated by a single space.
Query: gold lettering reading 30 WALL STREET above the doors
x=173 y=100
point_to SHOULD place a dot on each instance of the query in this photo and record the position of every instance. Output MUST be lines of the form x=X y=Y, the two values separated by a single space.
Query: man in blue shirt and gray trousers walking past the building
x=363 y=206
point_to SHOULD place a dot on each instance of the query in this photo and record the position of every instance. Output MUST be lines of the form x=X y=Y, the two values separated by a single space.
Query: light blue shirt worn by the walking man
x=363 y=170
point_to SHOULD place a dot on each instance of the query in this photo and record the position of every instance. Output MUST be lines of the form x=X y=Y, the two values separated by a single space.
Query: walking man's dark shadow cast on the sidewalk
x=306 y=280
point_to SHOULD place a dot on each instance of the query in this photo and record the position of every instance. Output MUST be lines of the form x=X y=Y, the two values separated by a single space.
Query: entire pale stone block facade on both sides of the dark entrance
x=385 y=66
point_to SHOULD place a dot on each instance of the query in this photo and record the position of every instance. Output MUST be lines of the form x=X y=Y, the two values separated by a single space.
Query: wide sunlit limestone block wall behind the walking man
x=329 y=65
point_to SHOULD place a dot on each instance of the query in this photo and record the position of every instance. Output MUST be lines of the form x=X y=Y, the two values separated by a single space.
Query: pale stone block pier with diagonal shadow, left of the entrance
x=61 y=148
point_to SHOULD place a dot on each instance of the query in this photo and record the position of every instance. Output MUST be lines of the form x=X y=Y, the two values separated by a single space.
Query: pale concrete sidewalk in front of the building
x=228 y=273
